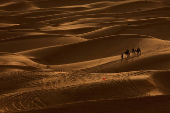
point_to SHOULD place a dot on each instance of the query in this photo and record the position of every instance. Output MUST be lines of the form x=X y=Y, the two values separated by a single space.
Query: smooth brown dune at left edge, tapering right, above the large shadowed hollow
x=33 y=41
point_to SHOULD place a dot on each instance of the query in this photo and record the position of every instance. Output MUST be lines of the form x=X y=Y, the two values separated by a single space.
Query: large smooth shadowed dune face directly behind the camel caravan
x=90 y=50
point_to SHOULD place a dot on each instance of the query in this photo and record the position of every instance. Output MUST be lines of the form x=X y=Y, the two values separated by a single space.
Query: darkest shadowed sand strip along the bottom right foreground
x=139 y=105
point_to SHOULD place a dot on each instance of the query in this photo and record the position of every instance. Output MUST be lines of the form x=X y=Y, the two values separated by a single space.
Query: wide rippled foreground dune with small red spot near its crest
x=123 y=85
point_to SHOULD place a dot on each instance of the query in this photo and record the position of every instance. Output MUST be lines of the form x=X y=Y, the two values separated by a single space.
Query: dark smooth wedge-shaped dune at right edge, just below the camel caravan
x=157 y=62
